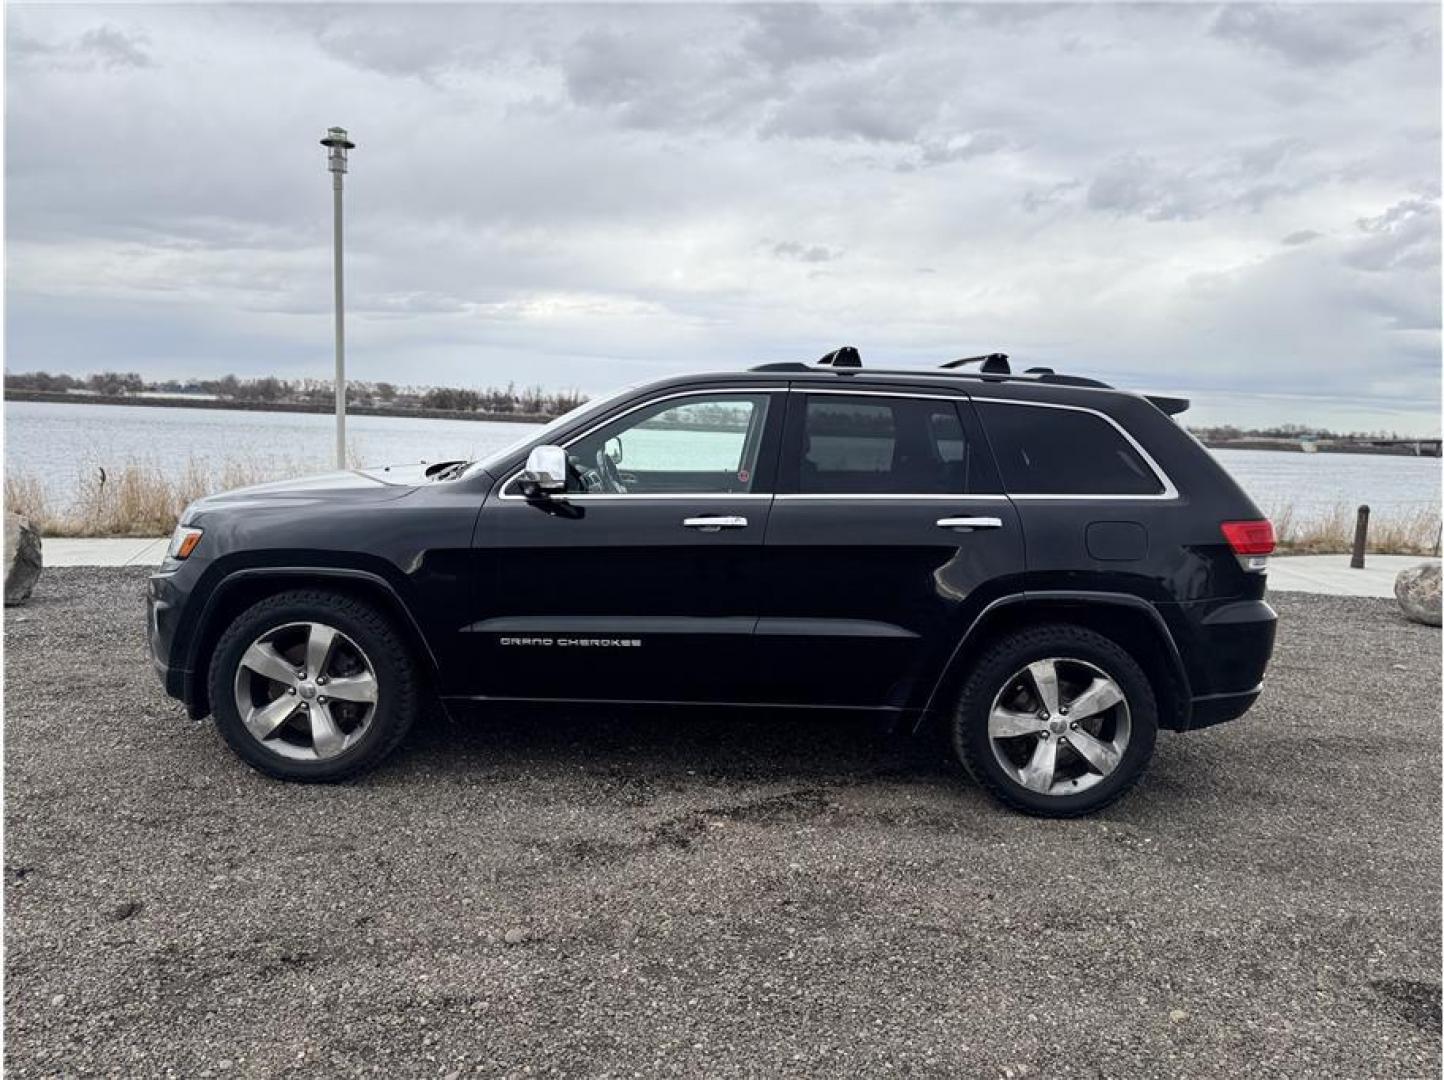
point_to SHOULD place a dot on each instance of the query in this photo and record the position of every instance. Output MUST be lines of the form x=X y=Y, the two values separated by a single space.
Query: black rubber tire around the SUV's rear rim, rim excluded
x=993 y=675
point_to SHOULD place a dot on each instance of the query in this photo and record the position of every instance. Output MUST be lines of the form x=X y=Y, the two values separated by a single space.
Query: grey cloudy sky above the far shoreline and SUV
x=1234 y=201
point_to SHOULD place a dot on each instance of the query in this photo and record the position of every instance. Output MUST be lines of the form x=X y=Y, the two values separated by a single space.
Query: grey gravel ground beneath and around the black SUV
x=723 y=896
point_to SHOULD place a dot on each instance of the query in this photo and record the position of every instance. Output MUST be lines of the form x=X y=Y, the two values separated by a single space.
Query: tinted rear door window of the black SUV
x=876 y=445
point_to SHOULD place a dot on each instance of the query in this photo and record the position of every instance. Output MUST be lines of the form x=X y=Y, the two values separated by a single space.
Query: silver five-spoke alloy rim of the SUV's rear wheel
x=1059 y=727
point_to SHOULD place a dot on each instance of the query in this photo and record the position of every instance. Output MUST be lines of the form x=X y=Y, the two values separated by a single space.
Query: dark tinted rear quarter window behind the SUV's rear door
x=1045 y=451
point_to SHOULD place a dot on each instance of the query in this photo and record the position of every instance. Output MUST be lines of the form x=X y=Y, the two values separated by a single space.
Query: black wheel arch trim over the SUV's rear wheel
x=1131 y=622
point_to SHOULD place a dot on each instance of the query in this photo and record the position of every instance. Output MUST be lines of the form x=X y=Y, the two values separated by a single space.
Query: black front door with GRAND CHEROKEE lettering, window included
x=642 y=581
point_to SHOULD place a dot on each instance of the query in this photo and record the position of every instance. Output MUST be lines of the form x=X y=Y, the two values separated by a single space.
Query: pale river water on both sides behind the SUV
x=56 y=443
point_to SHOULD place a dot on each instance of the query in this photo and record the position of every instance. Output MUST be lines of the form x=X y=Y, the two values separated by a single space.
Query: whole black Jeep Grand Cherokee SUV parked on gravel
x=1053 y=568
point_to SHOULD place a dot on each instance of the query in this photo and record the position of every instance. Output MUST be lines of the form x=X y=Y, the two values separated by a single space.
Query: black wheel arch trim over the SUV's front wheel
x=242 y=588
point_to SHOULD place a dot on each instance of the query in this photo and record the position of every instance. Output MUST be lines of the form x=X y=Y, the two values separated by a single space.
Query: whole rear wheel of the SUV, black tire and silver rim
x=1056 y=721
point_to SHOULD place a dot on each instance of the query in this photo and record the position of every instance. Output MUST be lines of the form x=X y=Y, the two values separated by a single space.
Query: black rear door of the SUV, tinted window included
x=889 y=535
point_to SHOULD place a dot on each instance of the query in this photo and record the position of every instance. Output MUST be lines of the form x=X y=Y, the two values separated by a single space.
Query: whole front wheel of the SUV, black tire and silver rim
x=313 y=687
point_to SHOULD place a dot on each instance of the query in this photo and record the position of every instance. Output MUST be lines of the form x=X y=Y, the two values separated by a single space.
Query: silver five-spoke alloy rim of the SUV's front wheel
x=305 y=691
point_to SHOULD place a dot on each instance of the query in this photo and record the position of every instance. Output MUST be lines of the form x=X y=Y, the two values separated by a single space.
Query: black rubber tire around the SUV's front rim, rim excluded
x=398 y=697
